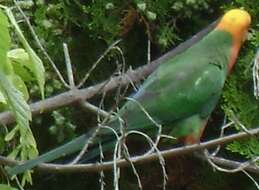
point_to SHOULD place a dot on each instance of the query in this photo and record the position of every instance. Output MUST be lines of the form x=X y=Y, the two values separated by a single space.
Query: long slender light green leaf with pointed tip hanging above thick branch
x=37 y=65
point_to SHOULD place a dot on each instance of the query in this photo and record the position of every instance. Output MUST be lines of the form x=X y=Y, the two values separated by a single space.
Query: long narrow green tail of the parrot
x=103 y=136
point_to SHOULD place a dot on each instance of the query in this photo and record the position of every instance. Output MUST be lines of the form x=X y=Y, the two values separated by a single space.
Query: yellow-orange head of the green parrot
x=236 y=22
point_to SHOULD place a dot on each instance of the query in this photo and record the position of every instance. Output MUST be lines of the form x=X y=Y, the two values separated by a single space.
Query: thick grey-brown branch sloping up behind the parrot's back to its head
x=75 y=95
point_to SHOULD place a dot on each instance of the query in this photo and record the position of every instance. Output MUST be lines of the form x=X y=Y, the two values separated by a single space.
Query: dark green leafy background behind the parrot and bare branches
x=88 y=28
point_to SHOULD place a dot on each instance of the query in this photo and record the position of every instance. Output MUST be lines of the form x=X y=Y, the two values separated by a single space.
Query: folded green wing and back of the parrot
x=187 y=85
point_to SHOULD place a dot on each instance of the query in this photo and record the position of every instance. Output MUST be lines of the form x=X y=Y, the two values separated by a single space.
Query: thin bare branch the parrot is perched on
x=55 y=168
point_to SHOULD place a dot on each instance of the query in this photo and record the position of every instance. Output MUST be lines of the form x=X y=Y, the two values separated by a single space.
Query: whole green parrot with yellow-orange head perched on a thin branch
x=179 y=95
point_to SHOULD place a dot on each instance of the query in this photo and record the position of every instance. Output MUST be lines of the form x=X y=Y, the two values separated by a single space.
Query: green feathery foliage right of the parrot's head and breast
x=238 y=94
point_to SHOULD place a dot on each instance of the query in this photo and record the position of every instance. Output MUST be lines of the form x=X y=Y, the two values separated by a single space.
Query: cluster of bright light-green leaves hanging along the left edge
x=13 y=91
